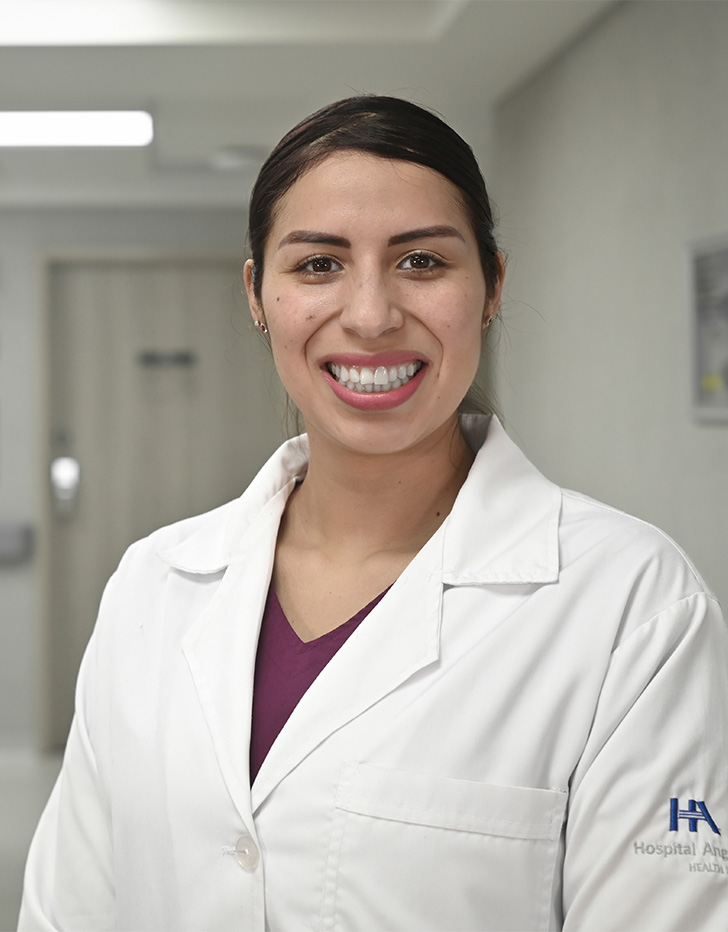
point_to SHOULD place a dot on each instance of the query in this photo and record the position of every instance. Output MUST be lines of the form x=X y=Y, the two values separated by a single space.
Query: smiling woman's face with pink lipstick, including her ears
x=386 y=274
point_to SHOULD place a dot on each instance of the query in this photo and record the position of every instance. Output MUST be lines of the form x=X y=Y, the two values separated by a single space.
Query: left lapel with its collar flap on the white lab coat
x=220 y=645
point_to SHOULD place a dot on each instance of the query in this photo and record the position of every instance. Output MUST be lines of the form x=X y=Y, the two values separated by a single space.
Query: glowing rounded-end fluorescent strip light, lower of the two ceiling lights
x=76 y=128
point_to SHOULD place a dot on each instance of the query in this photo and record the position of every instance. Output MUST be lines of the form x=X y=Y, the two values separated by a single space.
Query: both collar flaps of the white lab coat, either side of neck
x=503 y=528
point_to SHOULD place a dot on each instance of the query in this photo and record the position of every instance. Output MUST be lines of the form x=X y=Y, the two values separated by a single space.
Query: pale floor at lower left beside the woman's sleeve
x=26 y=778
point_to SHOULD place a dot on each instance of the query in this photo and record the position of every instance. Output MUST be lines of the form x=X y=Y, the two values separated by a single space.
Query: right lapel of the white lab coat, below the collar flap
x=399 y=637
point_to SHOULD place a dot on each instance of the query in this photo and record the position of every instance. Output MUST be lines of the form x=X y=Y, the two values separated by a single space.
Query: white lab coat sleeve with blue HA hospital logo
x=646 y=839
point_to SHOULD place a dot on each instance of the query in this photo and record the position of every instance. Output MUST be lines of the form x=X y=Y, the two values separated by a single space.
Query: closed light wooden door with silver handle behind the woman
x=162 y=403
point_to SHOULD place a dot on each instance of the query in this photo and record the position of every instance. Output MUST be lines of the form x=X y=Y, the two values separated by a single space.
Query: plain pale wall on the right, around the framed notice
x=611 y=162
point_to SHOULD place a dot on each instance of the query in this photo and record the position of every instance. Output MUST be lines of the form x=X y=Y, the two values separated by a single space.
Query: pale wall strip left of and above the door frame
x=26 y=236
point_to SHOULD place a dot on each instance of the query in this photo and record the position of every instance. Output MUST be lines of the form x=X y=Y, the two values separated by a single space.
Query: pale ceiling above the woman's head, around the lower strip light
x=224 y=79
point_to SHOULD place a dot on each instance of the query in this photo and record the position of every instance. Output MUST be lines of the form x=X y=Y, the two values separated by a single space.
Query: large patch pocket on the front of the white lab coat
x=416 y=851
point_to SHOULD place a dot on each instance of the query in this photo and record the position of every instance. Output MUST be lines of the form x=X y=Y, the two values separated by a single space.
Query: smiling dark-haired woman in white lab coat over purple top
x=404 y=682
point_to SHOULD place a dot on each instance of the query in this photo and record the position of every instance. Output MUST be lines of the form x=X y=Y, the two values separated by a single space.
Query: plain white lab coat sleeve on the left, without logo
x=69 y=882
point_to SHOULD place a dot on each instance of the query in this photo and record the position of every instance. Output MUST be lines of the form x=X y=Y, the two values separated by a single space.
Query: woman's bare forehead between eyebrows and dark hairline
x=351 y=187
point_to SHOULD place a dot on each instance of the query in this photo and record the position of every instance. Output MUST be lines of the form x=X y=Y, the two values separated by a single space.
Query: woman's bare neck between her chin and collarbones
x=359 y=504
